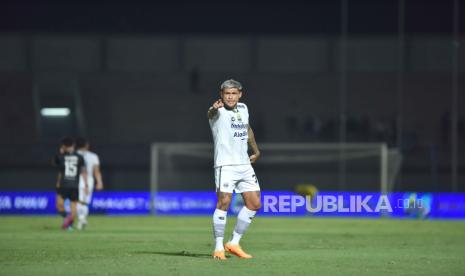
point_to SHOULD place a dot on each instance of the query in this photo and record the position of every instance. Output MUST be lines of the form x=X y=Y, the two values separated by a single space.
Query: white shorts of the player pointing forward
x=236 y=178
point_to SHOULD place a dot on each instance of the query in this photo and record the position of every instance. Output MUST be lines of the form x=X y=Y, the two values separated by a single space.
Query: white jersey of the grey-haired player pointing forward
x=230 y=134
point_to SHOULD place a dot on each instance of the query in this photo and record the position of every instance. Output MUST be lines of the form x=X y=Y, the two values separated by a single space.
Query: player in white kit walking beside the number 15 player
x=93 y=168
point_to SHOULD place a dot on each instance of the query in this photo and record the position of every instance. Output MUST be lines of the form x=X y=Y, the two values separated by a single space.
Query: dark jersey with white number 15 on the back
x=70 y=166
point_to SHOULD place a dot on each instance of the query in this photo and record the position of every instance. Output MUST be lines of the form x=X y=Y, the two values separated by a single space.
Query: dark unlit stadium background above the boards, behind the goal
x=134 y=73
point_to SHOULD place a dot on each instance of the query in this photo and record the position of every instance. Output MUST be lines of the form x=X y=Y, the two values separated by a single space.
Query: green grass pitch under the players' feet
x=281 y=246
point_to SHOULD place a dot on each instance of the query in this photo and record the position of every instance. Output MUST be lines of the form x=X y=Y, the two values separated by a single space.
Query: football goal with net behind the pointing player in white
x=364 y=167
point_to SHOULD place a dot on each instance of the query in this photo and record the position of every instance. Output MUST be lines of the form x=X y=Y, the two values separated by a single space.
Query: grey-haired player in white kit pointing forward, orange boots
x=232 y=138
